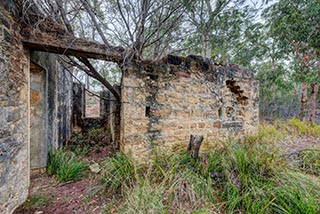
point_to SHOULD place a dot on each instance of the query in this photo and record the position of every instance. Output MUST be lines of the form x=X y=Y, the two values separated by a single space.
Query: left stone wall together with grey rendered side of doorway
x=16 y=149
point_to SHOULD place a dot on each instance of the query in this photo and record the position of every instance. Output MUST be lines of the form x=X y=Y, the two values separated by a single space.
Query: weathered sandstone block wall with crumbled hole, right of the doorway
x=163 y=105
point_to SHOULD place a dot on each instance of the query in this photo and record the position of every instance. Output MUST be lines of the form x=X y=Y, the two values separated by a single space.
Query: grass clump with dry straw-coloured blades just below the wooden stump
x=185 y=187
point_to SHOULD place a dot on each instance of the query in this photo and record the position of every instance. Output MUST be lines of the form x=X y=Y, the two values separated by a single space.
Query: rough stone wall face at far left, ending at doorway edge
x=14 y=117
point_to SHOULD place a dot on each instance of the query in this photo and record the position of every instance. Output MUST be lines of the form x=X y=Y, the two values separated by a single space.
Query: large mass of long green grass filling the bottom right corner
x=253 y=181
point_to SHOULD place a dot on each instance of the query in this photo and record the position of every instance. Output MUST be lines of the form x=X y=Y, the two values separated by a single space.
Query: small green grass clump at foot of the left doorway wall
x=65 y=165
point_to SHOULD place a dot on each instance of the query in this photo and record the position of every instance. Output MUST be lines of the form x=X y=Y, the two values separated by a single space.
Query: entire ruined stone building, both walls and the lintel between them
x=162 y=104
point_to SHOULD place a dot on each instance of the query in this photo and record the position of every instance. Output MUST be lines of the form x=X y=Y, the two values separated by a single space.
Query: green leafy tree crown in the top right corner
x=294 y=26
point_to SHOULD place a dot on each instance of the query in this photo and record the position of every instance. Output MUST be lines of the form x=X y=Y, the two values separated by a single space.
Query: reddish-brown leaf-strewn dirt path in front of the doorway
x=48 y=196
